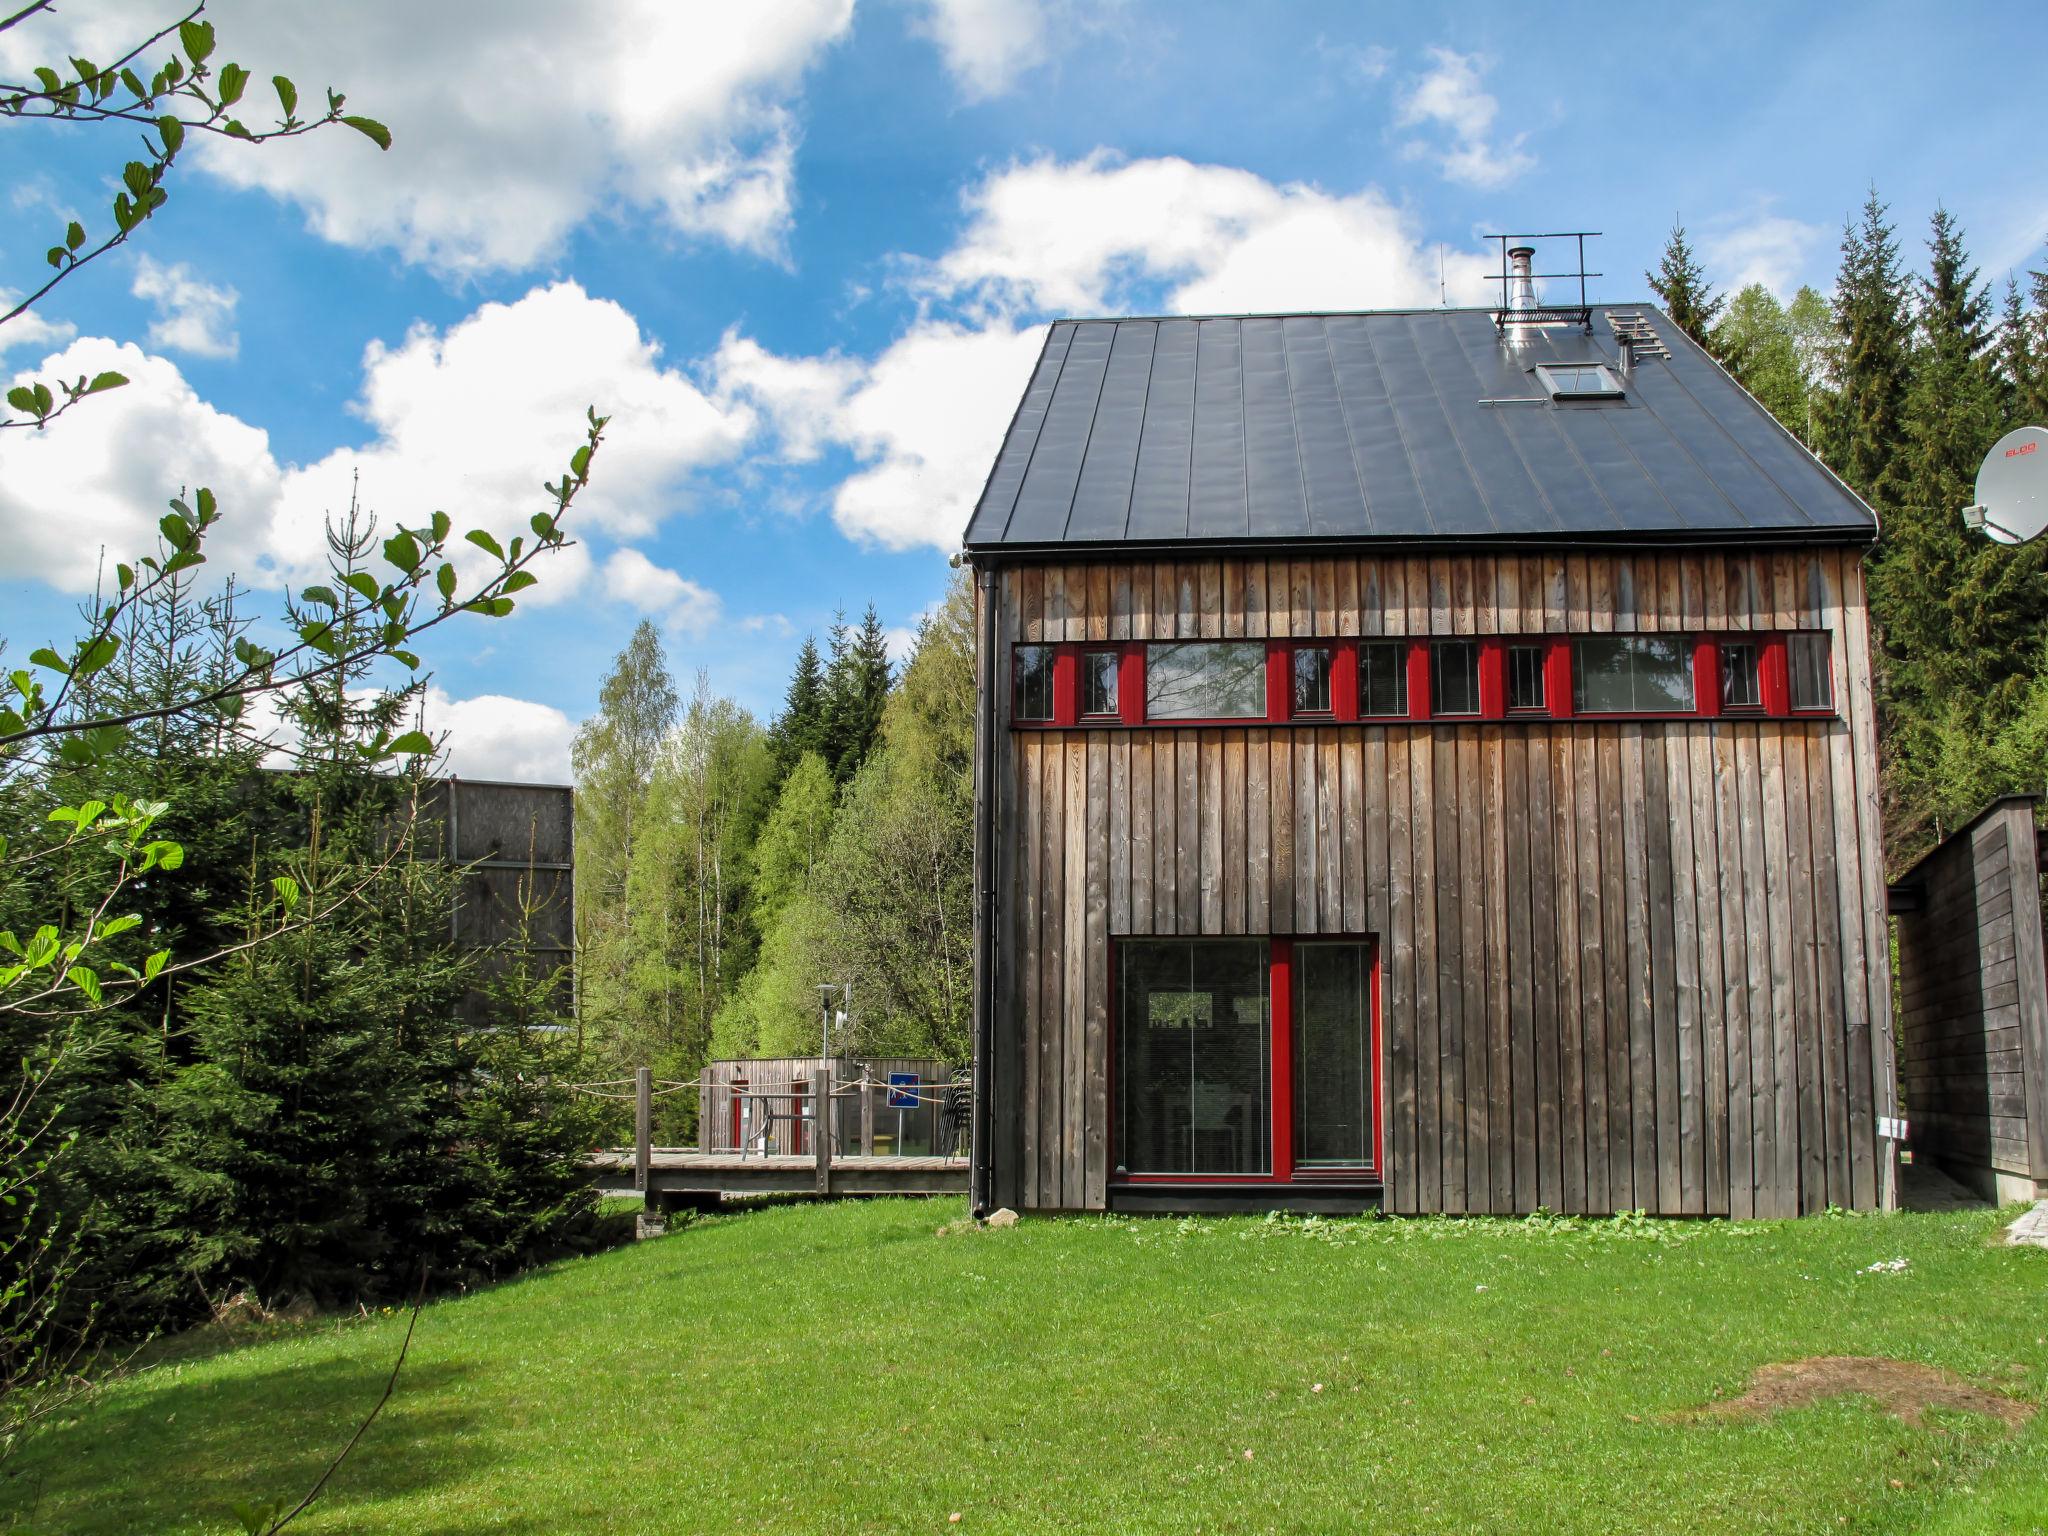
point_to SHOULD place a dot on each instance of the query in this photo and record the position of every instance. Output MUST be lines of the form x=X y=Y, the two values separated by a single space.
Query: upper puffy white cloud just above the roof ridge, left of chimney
x=1103 y=232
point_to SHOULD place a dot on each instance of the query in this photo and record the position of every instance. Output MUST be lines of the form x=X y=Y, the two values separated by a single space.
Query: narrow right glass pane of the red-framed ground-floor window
x=1334 y=1054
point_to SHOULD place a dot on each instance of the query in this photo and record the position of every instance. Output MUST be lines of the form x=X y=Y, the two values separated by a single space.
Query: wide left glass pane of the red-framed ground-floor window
x=1193 y=1058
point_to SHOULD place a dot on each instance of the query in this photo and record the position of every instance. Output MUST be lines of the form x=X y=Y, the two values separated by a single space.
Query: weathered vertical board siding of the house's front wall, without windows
x=1623 y=964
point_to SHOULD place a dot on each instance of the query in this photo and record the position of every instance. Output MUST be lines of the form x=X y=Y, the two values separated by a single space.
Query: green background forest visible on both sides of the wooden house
x=728 y=867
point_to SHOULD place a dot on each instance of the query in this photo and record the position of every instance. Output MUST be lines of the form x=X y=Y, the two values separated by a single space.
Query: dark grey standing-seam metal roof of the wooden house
x=1392 y=429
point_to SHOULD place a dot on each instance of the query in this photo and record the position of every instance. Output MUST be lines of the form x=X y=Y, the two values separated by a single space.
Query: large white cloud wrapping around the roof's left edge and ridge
x=927 y=417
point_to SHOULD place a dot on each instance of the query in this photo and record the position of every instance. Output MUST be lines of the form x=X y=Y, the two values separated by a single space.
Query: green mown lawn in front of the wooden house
x=845 y=1369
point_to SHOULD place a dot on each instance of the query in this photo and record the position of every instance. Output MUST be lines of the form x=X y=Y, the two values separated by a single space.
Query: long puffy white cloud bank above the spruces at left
x=466 y=421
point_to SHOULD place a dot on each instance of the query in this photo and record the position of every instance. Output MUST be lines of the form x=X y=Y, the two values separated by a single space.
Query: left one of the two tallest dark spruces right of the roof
x=1863 y=433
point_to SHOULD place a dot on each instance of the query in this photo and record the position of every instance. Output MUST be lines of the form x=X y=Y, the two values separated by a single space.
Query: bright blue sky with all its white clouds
x=804 y=255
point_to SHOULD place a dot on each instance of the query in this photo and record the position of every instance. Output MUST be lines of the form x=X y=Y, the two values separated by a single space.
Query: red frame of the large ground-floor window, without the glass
x=1281 y=1056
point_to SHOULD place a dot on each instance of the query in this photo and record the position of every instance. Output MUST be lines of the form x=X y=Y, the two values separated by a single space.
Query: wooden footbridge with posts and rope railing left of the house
x=685 y=1177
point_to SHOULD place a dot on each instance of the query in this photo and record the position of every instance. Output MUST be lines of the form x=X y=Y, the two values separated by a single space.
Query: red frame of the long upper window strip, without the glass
x=1773 y=679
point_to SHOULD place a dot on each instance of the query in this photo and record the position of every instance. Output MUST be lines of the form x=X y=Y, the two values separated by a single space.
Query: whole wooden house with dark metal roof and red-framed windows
x=1424 y=761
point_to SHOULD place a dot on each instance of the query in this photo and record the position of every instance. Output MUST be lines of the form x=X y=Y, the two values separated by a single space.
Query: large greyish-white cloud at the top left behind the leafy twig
x=513 y=120
